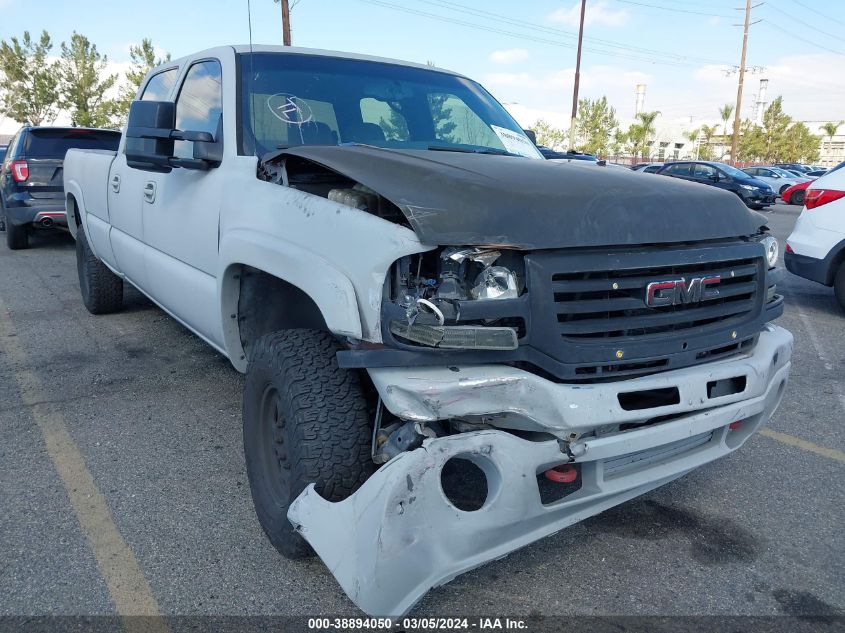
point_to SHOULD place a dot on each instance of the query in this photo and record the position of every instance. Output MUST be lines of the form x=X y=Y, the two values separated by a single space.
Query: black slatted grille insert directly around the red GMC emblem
x=611 y=303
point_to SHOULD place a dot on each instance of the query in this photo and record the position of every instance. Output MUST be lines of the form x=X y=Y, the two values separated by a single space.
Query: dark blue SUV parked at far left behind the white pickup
x=31 y=193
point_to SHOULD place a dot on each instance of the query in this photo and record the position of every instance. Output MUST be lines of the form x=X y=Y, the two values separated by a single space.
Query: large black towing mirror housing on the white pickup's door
x=149 y=145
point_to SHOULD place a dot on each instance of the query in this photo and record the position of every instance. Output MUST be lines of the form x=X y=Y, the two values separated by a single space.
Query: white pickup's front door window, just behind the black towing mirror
x=199 y=105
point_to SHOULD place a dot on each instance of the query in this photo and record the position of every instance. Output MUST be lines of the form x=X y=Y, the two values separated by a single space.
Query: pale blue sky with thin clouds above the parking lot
x=677 y=48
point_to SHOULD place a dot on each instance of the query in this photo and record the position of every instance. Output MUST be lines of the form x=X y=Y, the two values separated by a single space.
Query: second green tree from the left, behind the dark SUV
x=83 y=84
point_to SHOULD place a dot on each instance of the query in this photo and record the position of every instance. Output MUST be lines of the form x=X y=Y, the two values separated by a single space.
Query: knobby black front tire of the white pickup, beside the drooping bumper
x=305 y=420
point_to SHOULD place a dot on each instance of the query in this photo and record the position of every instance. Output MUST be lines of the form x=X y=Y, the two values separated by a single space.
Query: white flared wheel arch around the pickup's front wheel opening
x=330 y=289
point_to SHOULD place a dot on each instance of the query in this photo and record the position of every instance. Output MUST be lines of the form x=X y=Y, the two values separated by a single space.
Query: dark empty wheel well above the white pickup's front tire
x=268 y=304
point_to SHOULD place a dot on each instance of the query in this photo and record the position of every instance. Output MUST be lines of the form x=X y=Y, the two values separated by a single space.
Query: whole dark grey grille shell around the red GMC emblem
x=588 y=308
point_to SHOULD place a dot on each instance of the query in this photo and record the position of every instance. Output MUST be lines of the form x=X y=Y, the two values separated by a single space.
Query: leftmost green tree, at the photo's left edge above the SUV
x=28 y=82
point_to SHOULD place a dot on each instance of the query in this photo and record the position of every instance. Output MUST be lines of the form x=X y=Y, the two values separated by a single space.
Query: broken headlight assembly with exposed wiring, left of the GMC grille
x=432 y=287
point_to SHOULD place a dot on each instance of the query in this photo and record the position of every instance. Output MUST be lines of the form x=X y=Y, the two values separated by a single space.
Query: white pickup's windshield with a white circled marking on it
x=289 y=99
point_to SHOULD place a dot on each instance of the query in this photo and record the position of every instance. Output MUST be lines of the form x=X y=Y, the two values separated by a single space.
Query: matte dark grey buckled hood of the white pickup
x=461 y=199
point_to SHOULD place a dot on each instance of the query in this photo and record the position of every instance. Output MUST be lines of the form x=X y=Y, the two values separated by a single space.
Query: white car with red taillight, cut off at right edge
x=816 y=248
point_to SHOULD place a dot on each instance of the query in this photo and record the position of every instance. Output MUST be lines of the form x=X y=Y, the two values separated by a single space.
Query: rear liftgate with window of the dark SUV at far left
x=44 y=150
